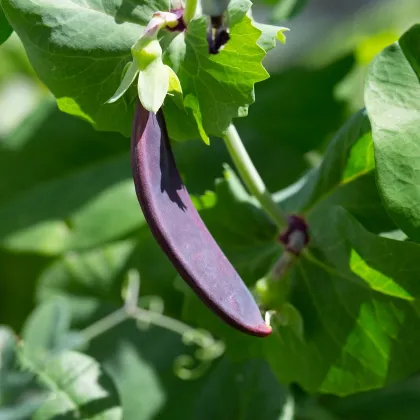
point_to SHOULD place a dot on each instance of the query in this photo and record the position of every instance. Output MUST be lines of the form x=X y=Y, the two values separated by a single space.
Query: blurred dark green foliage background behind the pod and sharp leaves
x=70 y=224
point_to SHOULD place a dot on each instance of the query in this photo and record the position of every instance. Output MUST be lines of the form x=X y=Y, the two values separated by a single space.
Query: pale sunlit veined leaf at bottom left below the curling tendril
x=80 y=388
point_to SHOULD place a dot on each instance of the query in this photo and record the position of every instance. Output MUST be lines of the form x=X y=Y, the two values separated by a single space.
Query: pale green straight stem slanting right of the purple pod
x=251 y=177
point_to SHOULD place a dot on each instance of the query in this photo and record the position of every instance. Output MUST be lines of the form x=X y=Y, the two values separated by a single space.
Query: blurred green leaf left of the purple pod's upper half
x=94 y=205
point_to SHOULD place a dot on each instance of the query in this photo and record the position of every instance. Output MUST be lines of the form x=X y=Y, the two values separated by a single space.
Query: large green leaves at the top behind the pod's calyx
x=84 y=71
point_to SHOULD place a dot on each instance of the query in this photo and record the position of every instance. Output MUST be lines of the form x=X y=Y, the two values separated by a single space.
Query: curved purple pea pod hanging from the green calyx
x=179 y=230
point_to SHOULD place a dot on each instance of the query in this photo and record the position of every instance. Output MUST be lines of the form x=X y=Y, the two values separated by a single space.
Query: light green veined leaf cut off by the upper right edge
x=392 y=96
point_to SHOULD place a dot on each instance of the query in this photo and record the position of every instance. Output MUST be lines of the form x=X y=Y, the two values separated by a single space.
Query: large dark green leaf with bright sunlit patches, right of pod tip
x=358 y=310
